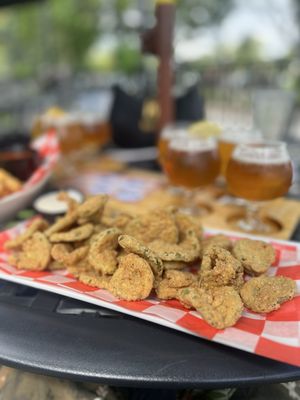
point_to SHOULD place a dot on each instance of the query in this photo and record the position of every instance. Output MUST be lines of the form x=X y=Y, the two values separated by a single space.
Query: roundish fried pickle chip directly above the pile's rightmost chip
x=256 y=256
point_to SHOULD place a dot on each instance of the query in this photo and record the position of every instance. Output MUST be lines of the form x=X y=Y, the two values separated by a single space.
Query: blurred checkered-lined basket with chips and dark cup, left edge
x=24 y=171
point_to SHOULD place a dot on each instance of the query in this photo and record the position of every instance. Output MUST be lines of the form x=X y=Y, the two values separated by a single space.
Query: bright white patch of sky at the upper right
x=269 y=21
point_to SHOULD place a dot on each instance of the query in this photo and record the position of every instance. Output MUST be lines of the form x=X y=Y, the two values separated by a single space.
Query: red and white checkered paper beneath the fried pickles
x=275 y=335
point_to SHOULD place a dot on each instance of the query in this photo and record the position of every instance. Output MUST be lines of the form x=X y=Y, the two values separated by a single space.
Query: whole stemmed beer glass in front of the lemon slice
x=191 y=163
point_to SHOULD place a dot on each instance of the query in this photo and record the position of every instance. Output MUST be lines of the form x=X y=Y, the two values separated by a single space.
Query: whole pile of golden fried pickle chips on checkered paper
x=162 y=252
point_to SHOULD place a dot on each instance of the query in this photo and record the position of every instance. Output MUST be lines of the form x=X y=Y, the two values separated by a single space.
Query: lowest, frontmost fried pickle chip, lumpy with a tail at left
x=220 y=307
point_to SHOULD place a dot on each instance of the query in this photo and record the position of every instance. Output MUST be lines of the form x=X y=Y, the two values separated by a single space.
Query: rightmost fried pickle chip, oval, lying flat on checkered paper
x=266 y=293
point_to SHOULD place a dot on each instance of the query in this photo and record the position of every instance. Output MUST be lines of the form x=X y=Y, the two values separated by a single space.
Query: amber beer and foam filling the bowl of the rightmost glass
x=255 y=176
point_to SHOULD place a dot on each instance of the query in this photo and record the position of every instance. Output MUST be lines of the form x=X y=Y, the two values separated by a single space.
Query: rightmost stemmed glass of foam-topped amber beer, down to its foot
x=258 y=172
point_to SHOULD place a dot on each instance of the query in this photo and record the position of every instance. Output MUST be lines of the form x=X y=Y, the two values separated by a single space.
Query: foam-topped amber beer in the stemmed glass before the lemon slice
x=192 y=163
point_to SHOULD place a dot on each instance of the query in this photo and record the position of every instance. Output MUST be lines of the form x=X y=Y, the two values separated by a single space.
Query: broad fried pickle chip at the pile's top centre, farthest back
x=158 y=224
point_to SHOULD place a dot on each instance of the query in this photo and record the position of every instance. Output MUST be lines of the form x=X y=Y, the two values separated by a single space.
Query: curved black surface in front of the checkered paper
x=49 y=334
